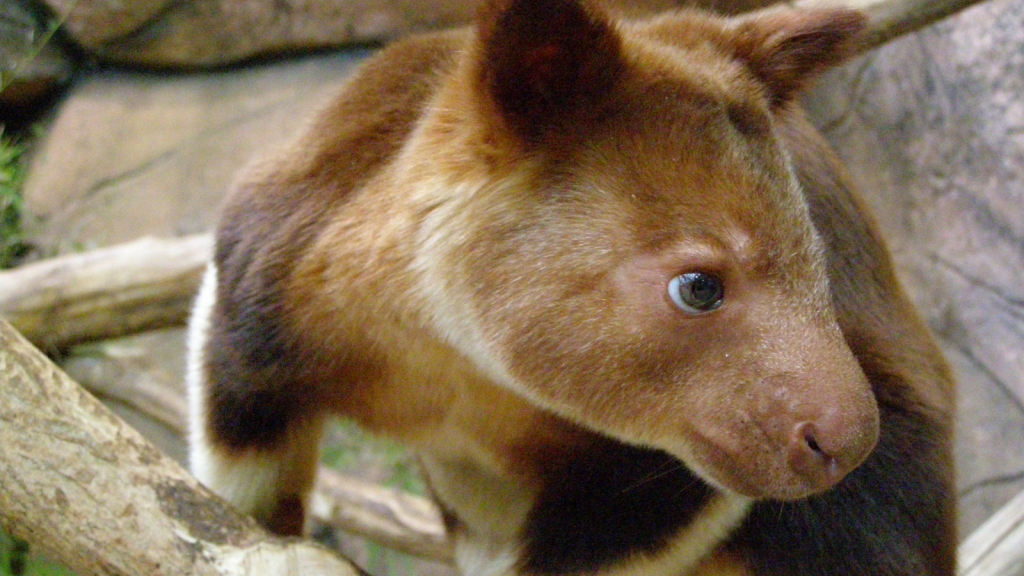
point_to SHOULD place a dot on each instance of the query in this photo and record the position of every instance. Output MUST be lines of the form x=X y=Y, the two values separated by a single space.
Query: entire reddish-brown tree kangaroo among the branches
x=471 y=251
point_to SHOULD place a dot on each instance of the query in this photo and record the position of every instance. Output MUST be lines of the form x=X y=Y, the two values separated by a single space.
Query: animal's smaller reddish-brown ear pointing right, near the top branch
x=788 y=49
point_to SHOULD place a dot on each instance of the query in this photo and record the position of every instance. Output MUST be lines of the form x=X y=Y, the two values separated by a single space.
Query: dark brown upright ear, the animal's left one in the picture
x=545 y=60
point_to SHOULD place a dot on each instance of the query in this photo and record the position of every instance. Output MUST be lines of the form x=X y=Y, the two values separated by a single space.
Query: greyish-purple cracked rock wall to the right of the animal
x=932 y=128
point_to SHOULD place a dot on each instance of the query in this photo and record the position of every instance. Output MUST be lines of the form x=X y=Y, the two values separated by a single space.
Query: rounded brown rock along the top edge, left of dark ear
x=203 y=33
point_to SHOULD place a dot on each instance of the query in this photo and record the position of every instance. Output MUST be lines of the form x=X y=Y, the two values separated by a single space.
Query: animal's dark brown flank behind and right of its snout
x=895 y=514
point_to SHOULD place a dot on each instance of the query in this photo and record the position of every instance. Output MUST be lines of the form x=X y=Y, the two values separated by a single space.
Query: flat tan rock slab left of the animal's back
x=133 y=153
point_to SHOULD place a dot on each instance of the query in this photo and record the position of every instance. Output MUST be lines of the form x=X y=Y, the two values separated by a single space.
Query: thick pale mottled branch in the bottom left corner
x=86 y=488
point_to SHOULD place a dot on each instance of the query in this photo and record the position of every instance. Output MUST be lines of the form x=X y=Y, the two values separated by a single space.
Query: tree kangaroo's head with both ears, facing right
x=633 y=251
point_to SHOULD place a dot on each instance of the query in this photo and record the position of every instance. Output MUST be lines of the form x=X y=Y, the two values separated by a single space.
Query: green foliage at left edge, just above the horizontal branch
x=13 y=245
